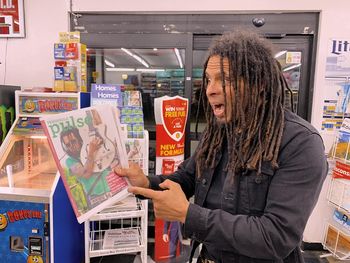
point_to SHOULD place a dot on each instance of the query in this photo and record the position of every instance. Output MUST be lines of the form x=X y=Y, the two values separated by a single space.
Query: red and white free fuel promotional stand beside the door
x=171 y=117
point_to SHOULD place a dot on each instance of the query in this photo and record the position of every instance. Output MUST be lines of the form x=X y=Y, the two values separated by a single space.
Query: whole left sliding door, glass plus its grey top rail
x=154 y=64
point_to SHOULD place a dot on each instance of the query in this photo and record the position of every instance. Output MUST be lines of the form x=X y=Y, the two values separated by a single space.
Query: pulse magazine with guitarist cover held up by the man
x=86 y=146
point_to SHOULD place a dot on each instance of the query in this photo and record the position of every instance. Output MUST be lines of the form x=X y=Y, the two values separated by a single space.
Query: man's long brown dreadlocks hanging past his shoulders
x=255 y=131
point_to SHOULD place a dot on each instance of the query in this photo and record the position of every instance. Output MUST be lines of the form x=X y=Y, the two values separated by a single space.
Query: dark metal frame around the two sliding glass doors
x=190 y=31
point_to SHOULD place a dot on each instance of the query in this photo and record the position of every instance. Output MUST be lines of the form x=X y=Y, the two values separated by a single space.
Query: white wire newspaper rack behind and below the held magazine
x=122 y=227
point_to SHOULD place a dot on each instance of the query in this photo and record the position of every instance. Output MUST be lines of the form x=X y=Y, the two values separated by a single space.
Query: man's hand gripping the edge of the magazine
x=134 y=173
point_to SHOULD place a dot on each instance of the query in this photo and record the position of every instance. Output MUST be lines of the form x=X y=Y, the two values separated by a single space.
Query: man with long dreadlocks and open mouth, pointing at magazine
x=258 y=170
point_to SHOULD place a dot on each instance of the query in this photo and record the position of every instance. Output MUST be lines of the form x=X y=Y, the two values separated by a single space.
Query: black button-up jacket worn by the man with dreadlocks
x=262 y=217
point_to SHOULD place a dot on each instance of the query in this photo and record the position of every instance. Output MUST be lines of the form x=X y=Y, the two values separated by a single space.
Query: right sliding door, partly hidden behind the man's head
x=293 y=53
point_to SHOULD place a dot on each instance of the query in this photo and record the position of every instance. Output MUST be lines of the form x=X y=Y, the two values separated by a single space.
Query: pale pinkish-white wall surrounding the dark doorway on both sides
x=28 y=62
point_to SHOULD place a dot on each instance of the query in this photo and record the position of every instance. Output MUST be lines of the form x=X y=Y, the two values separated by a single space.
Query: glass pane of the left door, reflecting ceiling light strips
x=154 y=72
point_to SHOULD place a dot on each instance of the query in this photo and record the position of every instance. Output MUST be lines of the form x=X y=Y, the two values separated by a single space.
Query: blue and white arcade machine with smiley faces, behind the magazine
x=37 y=222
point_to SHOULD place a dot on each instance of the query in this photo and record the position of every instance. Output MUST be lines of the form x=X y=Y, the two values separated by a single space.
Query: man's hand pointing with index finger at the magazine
x=170 y=204
